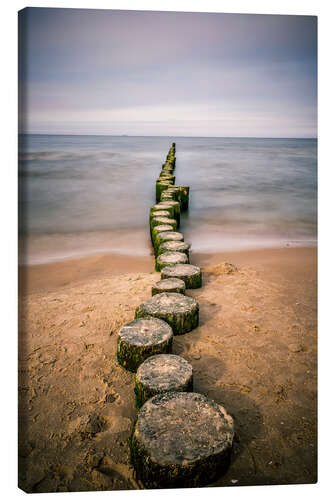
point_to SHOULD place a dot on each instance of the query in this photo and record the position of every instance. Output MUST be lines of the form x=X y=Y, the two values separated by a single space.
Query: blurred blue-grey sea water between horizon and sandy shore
x=81 y=195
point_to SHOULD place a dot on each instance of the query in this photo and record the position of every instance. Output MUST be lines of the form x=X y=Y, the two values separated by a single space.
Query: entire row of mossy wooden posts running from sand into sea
x=180 y=437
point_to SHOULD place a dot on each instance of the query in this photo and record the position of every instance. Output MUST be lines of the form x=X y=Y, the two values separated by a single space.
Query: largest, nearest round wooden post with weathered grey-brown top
x=168 y=450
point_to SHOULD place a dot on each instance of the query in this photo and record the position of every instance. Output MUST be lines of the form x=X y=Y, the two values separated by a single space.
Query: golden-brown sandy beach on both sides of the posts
x=255 y=351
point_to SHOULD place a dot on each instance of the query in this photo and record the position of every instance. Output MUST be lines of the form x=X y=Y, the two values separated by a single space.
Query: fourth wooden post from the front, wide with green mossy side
x=178 y=310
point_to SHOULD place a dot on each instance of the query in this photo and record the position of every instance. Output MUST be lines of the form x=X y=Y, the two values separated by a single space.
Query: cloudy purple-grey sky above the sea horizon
x=114 y=72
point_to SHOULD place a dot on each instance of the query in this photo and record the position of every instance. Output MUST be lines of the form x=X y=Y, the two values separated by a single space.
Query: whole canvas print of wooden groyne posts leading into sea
x=167 y=250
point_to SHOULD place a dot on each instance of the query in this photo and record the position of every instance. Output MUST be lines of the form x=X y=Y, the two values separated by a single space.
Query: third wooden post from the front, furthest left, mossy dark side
x=141 y=338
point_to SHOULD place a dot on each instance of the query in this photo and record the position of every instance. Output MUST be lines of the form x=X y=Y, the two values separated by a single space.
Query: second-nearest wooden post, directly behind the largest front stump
x=162 y=373
